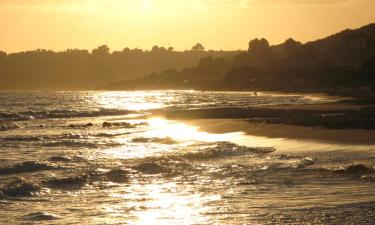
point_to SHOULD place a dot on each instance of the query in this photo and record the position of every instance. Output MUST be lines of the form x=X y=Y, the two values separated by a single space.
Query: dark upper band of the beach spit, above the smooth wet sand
x=340 y=113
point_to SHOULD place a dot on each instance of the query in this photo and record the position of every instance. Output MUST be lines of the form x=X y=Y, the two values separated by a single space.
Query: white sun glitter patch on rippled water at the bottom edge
x=162 y=203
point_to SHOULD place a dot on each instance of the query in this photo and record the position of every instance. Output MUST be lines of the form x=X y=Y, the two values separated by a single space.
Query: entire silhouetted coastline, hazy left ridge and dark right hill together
x=343 y=62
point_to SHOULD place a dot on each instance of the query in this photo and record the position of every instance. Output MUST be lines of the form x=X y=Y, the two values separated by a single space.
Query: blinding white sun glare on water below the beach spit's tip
x=169 y=137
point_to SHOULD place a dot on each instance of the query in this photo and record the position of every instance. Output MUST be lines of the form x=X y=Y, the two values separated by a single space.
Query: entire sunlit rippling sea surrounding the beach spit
x=87 y=158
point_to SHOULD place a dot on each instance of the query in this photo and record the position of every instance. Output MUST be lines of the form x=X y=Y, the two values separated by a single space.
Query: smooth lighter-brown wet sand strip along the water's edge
x=344 y=136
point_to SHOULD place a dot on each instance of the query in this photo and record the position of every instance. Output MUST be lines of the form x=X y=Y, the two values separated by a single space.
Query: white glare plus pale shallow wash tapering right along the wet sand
x=175 y=136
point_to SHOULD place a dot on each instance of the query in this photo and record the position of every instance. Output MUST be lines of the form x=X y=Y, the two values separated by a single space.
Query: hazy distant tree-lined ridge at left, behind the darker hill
x=81 y=69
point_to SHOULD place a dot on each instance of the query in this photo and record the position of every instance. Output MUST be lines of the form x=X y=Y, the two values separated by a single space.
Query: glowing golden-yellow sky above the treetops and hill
x=217 y=24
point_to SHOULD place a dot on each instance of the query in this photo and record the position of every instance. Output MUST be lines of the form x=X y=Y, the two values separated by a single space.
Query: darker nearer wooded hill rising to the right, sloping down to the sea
x=344 y=61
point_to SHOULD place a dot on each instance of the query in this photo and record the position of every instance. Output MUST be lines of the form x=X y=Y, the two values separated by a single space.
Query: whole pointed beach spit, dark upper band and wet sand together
x=347 y=121
